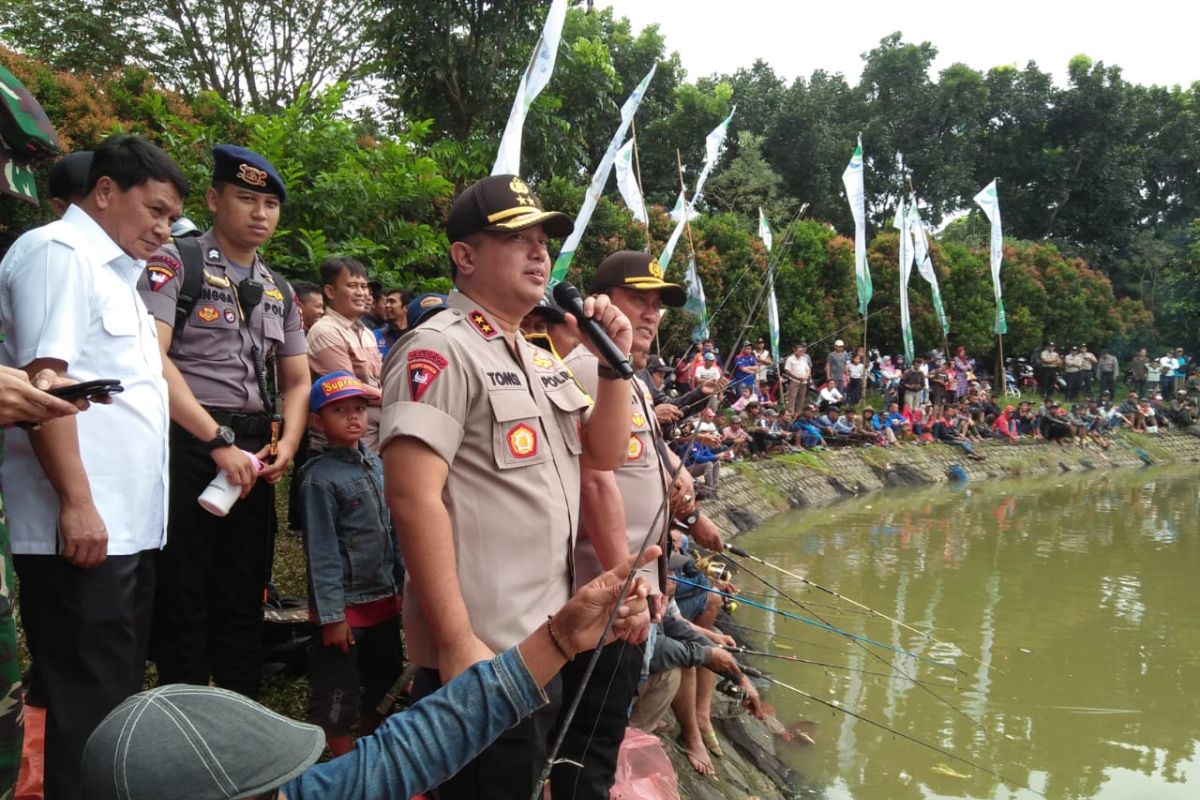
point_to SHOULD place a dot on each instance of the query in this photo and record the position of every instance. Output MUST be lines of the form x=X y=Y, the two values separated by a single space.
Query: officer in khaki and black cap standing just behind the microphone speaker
x=619 y=512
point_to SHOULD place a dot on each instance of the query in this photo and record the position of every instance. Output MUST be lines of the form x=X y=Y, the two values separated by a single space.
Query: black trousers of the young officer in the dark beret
x=208 y=615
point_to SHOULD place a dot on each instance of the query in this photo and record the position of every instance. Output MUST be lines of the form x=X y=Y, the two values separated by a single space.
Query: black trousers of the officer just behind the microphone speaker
x=598 y=729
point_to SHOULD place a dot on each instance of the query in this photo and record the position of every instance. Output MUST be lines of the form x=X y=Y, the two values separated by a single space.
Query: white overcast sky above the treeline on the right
x=1153 y=41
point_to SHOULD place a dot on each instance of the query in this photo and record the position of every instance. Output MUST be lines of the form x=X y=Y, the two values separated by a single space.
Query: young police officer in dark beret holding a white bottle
x=213 y=573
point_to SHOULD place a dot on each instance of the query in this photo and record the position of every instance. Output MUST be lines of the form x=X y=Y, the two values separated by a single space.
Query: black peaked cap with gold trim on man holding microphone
x=502 y=203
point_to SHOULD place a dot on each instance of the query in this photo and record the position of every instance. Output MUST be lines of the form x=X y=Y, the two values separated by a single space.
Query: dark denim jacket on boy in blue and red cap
x=347 y=533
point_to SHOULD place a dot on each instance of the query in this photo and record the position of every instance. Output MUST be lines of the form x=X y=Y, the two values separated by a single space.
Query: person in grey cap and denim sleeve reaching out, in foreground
x=196 y=742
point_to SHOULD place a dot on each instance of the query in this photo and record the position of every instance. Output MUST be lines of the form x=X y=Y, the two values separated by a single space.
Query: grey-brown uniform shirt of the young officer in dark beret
x=214 y=350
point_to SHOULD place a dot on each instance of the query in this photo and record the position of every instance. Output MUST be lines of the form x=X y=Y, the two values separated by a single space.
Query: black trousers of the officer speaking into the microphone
x=511 y=768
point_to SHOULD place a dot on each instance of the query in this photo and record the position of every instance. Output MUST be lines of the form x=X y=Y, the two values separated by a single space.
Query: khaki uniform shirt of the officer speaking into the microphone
x=509 y=425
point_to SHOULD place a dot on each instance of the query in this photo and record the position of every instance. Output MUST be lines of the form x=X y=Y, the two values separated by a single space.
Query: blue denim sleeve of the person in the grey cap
x=422 y=748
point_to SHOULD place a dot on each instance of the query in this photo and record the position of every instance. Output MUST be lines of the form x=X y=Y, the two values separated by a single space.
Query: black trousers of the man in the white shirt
x=88 y=633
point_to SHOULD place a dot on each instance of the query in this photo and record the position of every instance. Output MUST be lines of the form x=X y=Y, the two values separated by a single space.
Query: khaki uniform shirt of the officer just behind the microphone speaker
x=643 y=479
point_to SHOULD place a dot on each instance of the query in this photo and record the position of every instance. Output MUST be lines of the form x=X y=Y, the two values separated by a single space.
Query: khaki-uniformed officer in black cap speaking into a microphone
x=483 y=441
